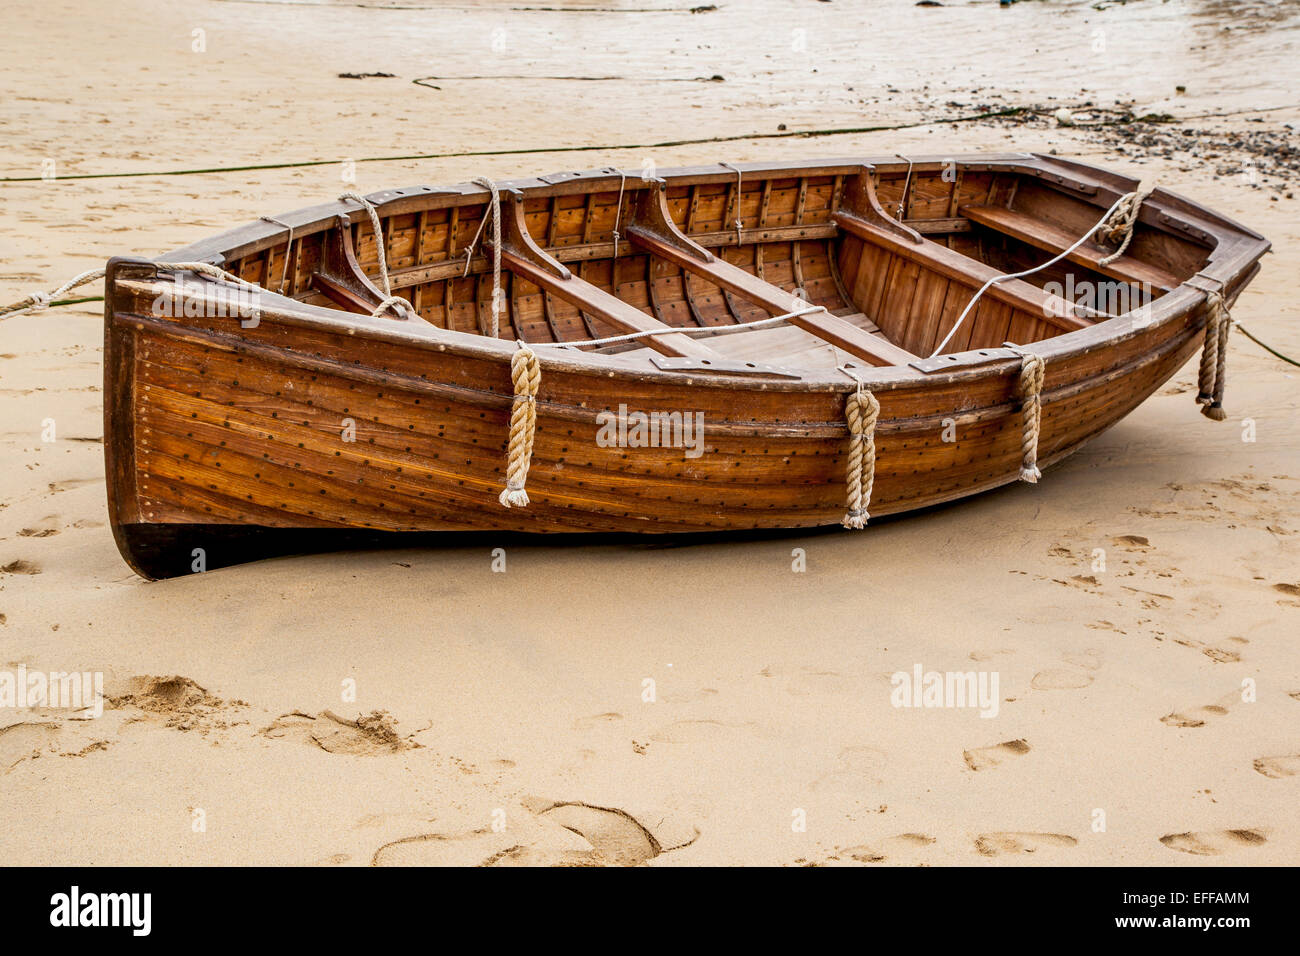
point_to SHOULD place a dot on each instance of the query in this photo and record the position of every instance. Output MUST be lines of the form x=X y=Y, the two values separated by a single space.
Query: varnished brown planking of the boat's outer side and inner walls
x=775 y=452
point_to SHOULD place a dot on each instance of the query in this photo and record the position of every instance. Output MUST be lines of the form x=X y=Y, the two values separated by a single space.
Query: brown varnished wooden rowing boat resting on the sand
x=231 y=436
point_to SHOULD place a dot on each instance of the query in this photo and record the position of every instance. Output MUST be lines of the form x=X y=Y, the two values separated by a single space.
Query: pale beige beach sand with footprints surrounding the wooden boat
x=519 y=699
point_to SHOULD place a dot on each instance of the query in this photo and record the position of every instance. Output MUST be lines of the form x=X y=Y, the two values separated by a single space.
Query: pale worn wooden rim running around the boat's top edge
x=1234 y=253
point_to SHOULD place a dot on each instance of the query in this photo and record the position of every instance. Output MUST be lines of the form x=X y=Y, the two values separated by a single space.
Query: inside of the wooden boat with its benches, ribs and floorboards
x=787 y=233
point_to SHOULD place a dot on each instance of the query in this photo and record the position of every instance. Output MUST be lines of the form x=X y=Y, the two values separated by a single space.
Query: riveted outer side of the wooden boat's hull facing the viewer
x=236 y=439
